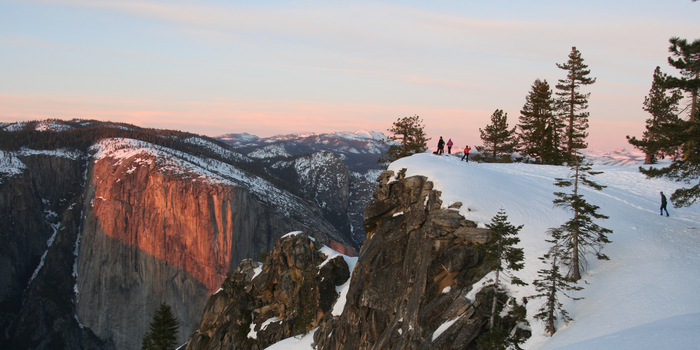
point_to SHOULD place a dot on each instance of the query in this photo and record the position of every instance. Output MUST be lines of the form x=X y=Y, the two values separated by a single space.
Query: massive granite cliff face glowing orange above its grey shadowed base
x=152 y=234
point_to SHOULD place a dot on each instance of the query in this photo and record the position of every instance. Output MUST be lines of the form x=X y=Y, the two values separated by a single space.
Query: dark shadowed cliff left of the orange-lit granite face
x=40 y=211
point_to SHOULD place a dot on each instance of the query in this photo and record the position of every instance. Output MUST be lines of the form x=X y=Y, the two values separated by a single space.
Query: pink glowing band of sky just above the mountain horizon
x=270 y=117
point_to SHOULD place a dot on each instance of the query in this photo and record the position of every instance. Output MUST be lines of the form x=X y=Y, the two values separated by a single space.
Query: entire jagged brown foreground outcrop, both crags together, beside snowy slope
x=408 y=289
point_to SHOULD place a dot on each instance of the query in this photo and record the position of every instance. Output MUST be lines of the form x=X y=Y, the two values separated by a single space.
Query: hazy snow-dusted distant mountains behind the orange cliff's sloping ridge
x=347 y=160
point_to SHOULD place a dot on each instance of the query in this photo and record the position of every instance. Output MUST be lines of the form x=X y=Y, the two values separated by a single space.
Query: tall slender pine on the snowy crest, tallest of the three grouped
x=572 y=103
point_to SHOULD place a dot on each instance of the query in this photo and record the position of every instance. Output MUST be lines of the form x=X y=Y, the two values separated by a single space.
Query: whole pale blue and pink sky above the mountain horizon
x=279 y=67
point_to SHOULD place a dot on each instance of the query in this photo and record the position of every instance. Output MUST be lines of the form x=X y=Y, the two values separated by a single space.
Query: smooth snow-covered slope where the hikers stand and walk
x=645 y=297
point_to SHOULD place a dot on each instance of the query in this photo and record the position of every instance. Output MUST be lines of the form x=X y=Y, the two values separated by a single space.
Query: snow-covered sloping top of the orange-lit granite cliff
x=198 y=169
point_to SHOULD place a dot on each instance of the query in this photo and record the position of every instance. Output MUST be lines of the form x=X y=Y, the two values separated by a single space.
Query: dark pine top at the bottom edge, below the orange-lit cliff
x=162 y=332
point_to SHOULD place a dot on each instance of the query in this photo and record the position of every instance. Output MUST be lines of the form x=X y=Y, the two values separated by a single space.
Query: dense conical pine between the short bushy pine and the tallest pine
x=540 y=130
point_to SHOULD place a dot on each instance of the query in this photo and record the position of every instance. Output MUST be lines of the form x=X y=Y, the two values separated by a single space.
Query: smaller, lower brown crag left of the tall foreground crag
x=261 y=305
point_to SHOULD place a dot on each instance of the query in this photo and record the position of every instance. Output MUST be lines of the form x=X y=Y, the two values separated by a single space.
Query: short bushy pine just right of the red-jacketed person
x=497 y=137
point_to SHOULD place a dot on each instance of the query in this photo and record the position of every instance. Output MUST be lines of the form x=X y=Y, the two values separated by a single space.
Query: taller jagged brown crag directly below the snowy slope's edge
x=414 y=271
